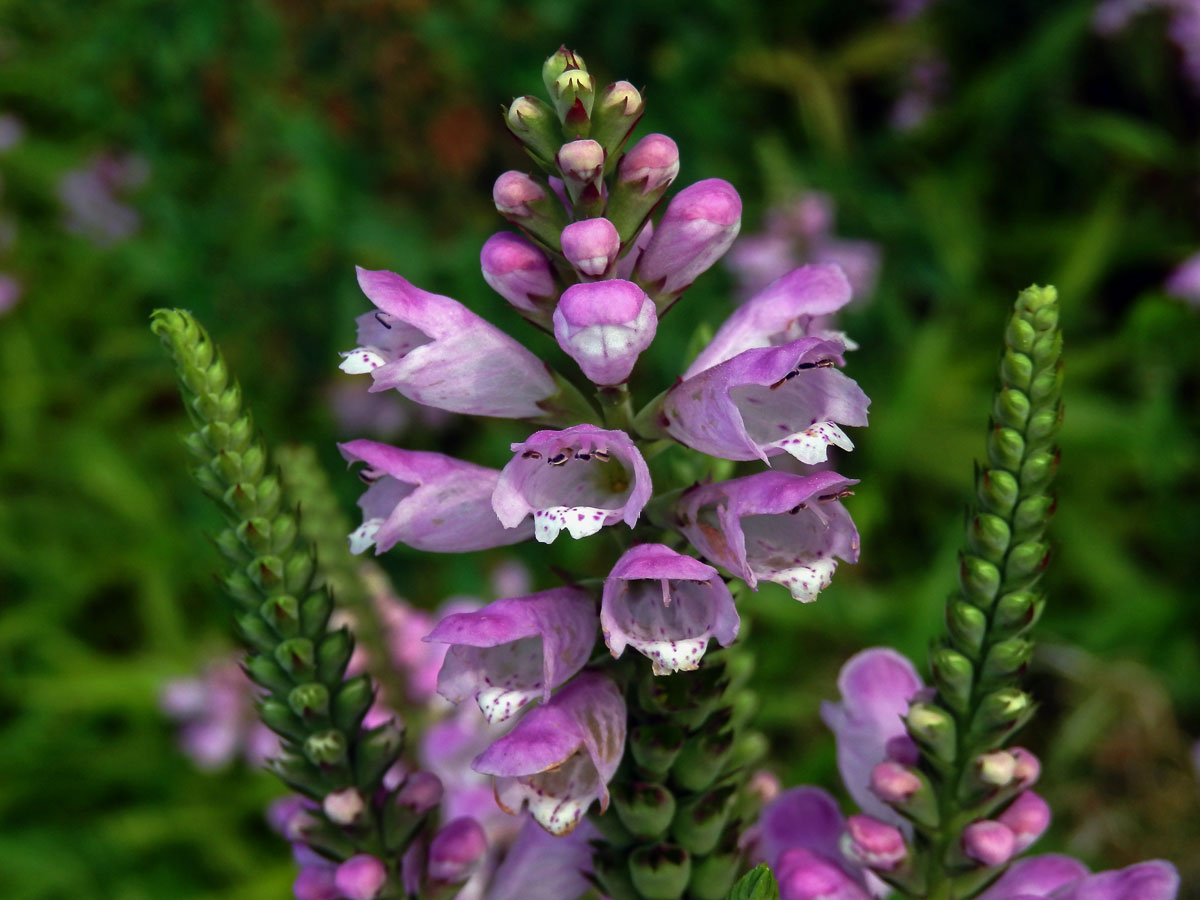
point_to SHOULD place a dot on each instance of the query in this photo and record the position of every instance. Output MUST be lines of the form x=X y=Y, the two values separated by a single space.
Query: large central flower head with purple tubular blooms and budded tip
x=593 y=265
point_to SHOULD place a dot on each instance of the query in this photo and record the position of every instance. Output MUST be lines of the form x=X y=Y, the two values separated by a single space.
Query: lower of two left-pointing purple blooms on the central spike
x=427 y=501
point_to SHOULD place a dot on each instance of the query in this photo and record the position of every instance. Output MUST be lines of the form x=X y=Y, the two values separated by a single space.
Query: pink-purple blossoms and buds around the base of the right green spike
x=818 y=855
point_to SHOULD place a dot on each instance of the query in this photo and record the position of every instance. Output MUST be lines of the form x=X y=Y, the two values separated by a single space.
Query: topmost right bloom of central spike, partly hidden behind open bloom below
x=782 y=313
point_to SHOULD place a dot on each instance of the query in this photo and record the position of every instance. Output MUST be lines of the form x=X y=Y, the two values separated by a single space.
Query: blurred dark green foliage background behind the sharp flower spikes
x=284 y=142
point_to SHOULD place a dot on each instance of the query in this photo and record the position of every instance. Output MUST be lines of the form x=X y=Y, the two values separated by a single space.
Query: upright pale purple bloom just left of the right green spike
x=877 y=687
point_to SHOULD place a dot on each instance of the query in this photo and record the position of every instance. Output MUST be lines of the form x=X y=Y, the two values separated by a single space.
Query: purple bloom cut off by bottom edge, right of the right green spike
x=1059 y=878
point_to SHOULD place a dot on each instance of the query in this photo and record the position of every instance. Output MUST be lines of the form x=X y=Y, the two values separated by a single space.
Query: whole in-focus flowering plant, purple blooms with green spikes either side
x=631 y=773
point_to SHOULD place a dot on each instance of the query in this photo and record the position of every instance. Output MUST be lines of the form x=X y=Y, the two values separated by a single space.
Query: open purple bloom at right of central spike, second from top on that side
x=767 y=401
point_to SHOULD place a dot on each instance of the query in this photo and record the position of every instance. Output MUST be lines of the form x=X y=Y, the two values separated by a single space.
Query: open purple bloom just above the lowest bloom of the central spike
x=517 y=650
